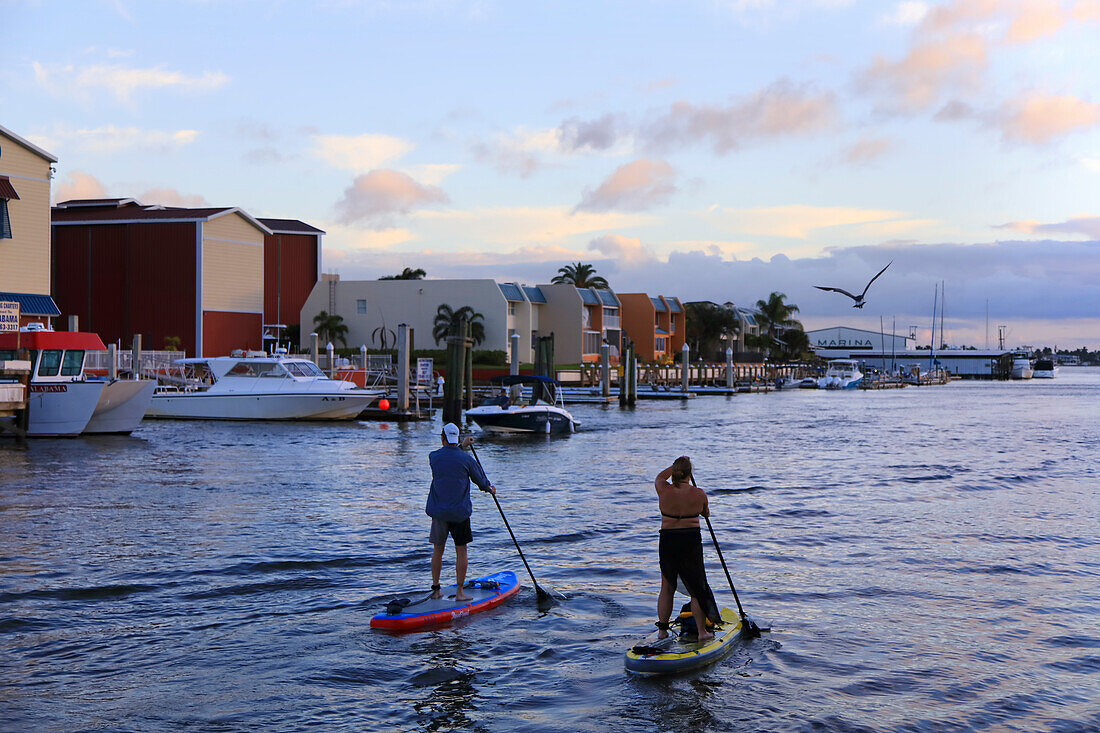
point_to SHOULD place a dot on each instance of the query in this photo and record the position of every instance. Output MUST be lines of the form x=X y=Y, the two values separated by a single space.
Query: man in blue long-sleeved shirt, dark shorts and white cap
x=449 y=506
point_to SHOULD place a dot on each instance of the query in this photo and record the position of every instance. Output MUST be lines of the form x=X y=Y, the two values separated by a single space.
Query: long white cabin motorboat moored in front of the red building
x=257 y=387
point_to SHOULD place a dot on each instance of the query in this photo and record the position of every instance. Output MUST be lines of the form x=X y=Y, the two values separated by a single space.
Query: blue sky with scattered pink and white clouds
x=706 y=149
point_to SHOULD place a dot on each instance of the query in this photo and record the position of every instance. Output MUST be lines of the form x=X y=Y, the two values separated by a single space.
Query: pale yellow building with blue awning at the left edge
x=26 y=171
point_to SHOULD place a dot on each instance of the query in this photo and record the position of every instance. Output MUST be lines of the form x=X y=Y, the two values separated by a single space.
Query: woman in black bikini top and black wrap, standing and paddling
x=681 y=548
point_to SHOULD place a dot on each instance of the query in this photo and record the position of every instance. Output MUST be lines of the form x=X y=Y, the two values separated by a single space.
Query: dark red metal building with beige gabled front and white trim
x=196 y=275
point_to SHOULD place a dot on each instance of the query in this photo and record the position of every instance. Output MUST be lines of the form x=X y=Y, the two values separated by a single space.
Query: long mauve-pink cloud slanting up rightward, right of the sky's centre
x=778 y=111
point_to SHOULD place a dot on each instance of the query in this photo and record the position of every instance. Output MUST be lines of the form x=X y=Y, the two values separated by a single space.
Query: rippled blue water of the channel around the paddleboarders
x=928 y=560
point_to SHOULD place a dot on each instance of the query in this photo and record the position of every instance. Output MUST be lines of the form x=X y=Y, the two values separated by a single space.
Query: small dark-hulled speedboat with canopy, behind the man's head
x=502 y=415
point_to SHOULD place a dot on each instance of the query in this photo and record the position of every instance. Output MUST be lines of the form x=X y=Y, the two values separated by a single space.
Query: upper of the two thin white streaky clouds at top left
x=122 y=82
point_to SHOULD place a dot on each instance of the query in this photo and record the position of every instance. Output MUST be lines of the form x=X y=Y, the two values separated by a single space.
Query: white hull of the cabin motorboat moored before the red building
x=303 y=407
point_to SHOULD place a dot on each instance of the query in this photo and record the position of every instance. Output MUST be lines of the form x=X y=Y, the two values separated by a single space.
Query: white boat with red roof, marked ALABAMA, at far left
x=61 y=399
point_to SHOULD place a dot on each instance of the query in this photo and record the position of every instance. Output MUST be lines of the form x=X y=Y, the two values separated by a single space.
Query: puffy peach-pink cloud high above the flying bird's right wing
x=928 y=72
